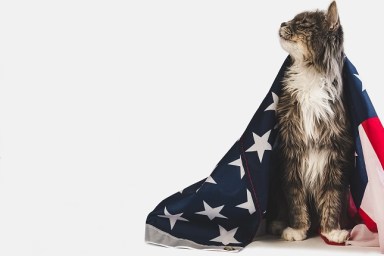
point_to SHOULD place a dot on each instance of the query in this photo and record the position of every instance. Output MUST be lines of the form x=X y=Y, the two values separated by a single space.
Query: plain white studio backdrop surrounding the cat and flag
x=108 y=107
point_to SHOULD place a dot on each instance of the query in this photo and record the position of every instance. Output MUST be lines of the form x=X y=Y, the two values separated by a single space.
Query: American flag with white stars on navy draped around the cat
x=225 y=210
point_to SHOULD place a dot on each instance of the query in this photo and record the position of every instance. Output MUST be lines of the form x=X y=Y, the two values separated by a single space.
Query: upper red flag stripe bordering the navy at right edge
x=375 y=132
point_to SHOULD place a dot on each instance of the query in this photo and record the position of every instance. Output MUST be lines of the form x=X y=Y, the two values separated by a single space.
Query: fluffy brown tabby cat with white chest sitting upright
x=316 y=147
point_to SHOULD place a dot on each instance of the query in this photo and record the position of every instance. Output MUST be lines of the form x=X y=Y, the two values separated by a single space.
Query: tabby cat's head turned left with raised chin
x=314 y=38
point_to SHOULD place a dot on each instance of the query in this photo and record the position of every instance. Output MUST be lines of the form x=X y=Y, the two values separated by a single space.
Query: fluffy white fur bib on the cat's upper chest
x=314 y=95
